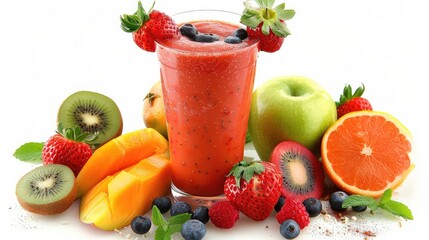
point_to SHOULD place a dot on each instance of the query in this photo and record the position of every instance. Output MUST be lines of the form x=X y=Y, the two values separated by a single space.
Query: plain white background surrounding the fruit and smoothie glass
x=51 y=48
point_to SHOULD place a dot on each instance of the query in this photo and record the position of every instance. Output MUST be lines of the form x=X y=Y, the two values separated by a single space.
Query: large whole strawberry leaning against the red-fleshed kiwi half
x=254 y=187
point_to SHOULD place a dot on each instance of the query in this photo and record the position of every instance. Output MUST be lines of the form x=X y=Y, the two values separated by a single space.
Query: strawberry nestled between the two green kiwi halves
x=68 y=147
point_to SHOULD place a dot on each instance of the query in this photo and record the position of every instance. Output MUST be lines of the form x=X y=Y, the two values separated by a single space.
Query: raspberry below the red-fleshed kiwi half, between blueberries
x=295 y=210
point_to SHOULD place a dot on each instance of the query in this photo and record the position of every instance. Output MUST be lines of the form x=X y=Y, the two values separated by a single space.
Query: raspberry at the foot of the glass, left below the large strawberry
x=223 y=214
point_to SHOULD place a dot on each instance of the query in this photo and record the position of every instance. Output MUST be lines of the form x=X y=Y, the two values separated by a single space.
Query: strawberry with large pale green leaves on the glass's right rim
x=267 y=23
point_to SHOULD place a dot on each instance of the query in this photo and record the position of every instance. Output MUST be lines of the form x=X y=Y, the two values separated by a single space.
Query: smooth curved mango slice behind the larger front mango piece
x=118 y=154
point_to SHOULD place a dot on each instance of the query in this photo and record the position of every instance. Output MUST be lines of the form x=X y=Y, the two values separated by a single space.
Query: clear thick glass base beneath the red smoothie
x=194 y=201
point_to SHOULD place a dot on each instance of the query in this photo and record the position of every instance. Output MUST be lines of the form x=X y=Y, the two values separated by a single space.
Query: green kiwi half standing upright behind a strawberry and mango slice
x=92 y=112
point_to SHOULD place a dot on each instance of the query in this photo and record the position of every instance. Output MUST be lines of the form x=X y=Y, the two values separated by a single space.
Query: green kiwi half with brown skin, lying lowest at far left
x=47 y=189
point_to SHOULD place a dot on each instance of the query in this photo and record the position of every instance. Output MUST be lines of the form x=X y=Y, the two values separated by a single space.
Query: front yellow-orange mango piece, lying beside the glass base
x=117 y=199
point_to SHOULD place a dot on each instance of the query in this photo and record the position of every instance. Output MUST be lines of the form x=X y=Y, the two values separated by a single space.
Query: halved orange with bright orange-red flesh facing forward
x=367 y=152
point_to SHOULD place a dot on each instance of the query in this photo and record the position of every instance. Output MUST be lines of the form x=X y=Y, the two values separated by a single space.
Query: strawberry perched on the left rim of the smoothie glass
x=147 y=27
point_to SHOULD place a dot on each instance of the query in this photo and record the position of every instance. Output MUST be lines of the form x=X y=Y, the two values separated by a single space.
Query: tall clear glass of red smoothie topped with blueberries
x=207 y=84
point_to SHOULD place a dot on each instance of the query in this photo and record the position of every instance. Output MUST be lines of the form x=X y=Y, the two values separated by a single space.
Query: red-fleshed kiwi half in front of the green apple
x=302 y=172
